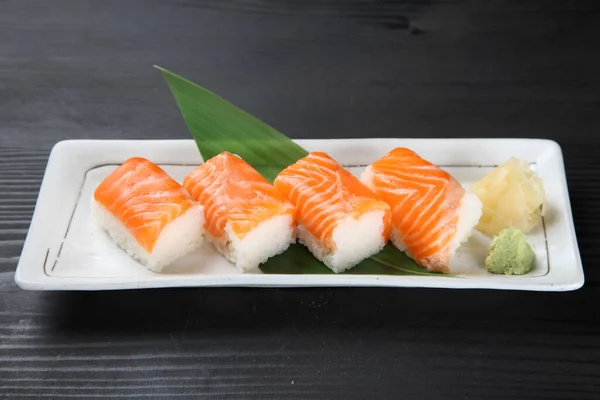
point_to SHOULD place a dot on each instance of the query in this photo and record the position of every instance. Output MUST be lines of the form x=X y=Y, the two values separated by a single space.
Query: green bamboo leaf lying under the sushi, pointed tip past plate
x=217 y=125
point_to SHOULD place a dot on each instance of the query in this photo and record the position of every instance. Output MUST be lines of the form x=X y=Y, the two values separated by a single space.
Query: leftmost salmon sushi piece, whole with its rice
x=148 y=214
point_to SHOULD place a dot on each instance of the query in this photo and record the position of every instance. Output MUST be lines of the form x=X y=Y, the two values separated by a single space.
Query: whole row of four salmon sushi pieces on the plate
x=340 y=218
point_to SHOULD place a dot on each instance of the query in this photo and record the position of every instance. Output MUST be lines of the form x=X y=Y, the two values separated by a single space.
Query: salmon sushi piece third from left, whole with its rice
x=340 y=220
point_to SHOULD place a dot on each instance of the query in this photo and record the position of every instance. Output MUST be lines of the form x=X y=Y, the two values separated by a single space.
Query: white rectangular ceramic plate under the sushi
x=65 y=250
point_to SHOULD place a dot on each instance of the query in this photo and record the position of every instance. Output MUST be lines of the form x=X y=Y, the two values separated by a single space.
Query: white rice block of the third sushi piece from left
x=354 y=240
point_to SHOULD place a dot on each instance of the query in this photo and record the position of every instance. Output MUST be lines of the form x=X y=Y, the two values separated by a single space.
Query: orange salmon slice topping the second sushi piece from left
x=233 y=192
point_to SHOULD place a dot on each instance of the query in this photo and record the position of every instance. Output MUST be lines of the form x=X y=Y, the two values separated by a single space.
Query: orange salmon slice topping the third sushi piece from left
x=325 y=194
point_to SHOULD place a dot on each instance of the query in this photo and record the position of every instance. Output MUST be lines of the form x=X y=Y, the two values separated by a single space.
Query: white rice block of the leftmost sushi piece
x=178 y=238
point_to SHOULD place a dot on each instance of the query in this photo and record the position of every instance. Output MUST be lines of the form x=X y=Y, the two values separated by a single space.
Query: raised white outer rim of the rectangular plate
x=62 y=154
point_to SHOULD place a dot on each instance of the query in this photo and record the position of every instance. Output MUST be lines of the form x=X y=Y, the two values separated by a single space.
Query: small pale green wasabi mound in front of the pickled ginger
x=510 y=253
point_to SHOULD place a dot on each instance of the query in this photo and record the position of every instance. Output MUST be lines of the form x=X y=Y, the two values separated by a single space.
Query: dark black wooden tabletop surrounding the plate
x=313 y=69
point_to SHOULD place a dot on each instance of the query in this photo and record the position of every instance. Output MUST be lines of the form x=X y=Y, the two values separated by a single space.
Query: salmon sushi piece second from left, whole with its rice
x=247 y=219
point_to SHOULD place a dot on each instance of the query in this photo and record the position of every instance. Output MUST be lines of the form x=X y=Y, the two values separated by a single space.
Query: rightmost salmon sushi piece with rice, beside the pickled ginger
x=432 y=213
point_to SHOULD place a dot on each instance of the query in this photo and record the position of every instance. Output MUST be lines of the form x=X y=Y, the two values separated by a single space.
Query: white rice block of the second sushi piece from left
x=269 y=238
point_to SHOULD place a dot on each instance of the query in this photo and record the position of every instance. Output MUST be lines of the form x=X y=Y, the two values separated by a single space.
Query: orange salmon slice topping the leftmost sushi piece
x=144 y=198
